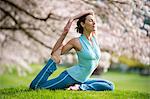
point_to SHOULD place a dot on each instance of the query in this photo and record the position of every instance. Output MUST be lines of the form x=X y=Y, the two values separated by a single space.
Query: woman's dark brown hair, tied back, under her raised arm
x=79 y=27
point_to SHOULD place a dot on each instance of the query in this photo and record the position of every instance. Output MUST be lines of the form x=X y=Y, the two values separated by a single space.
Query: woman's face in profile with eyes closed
x=89 y=24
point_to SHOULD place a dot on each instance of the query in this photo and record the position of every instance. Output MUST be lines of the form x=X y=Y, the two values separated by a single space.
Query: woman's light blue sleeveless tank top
x=88 y=59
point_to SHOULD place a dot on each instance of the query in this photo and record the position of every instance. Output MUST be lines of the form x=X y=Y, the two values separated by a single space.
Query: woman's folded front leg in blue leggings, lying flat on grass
x=97 y=85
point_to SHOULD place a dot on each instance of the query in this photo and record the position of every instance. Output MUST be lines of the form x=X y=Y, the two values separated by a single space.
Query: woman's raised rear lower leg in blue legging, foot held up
x=43 y=75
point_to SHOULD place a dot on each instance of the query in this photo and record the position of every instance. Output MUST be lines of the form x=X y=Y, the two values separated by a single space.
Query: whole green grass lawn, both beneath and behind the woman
x=127 y=86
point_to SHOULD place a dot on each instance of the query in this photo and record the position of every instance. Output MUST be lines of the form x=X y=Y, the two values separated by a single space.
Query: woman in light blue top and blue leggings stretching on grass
x=76 y=77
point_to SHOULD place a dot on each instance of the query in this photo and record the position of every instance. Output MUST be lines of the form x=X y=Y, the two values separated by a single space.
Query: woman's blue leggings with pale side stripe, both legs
x=64 y=80
